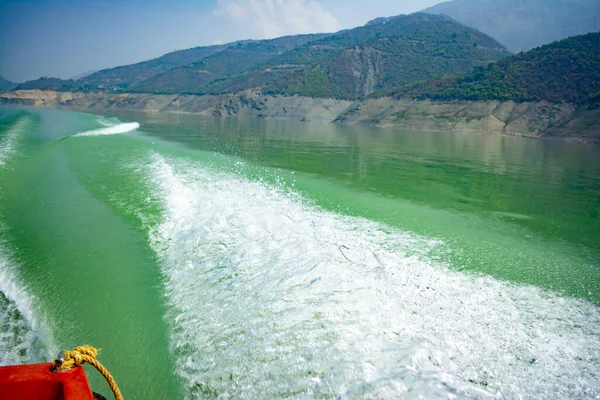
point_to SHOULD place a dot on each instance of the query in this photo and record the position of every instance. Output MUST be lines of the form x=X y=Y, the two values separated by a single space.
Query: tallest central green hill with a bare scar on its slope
x=354 y=63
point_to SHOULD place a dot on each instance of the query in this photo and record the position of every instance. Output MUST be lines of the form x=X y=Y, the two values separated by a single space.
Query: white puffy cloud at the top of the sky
x=274 y=18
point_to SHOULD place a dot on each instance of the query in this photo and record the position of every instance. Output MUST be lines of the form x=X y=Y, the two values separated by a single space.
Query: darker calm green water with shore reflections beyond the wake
x=556 y=182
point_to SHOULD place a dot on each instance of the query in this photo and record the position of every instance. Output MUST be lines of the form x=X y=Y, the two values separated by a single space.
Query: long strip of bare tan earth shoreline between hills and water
x=533 y=119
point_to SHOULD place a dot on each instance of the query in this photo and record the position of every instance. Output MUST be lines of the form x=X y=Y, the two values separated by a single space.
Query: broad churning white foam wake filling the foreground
x=274 y=298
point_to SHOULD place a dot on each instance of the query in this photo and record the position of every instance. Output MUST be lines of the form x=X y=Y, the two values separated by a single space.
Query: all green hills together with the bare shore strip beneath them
x=421 y=71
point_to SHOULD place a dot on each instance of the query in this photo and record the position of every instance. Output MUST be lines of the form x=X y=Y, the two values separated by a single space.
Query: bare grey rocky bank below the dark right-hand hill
x=531 y=119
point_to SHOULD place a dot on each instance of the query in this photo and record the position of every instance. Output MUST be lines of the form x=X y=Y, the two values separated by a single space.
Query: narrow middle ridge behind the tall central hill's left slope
x=232 y=61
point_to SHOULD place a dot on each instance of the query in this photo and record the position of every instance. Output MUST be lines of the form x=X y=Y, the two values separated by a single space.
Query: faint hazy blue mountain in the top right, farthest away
x=522 y=25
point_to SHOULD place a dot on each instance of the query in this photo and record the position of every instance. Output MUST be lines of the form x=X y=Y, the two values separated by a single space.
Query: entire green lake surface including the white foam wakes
x=228 y=258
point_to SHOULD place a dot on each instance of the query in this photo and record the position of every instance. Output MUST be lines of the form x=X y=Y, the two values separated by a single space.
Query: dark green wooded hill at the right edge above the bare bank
x=564 y=71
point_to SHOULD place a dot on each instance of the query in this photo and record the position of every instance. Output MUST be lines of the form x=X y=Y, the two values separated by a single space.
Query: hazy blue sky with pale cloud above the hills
x=64 y=38
